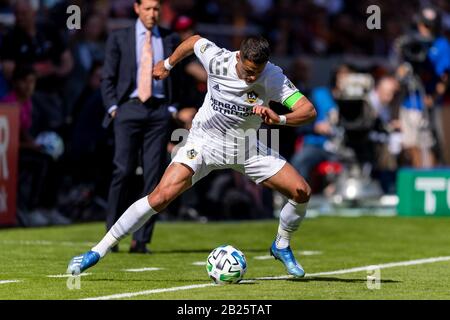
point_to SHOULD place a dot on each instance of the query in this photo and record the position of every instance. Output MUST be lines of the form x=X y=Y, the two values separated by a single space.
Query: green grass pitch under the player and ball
x=29 y=256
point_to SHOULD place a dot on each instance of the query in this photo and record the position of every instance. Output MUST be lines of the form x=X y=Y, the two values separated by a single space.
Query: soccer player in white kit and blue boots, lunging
x=240 y=86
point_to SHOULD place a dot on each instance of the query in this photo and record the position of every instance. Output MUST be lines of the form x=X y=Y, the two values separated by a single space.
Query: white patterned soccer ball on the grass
x=226 y=264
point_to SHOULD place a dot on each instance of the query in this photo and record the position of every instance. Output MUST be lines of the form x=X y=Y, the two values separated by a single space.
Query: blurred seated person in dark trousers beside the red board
x=38 y=177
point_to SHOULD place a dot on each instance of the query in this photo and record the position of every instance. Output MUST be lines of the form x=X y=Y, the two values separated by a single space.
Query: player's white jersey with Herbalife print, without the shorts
x=229 y=101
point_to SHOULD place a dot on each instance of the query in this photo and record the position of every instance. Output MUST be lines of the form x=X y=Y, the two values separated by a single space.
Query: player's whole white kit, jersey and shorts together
x=218 y=138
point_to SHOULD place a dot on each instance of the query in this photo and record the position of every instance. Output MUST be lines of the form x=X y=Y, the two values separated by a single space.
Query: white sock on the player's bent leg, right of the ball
x=291 y=216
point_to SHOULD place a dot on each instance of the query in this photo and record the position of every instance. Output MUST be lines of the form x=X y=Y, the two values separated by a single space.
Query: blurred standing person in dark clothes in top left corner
x=41 y=46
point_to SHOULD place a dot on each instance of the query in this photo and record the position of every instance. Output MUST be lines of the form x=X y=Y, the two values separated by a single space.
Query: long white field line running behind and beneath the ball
x=343 y=271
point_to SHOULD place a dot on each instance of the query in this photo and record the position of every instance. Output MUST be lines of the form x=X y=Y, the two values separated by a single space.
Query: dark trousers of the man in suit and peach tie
x=140 y=130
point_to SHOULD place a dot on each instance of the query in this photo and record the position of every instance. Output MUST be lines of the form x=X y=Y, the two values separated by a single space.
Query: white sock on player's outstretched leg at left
x=132 y=219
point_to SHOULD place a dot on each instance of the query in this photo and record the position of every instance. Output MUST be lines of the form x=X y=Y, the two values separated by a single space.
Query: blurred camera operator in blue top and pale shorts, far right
x=423 y=72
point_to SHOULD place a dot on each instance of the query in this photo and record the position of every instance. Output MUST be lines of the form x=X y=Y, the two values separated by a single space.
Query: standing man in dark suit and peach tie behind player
x=140 y=109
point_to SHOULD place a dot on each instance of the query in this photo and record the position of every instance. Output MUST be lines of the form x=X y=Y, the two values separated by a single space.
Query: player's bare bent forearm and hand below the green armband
x=303 y=112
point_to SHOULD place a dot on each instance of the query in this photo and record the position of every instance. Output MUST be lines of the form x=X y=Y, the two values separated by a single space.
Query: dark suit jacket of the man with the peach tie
x=120 y=68
